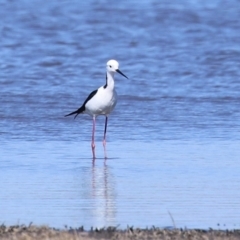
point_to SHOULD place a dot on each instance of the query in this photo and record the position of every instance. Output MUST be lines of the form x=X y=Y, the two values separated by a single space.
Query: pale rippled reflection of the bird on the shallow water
x=104 y=209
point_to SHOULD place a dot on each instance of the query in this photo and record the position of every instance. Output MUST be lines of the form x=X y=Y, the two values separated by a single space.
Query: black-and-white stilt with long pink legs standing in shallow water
x=101 y=102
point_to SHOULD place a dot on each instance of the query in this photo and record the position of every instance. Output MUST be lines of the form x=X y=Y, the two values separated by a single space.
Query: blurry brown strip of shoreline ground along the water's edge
x=22 y=232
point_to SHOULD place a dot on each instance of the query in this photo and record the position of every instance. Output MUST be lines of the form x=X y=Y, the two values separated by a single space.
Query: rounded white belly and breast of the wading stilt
x=102 y=103
